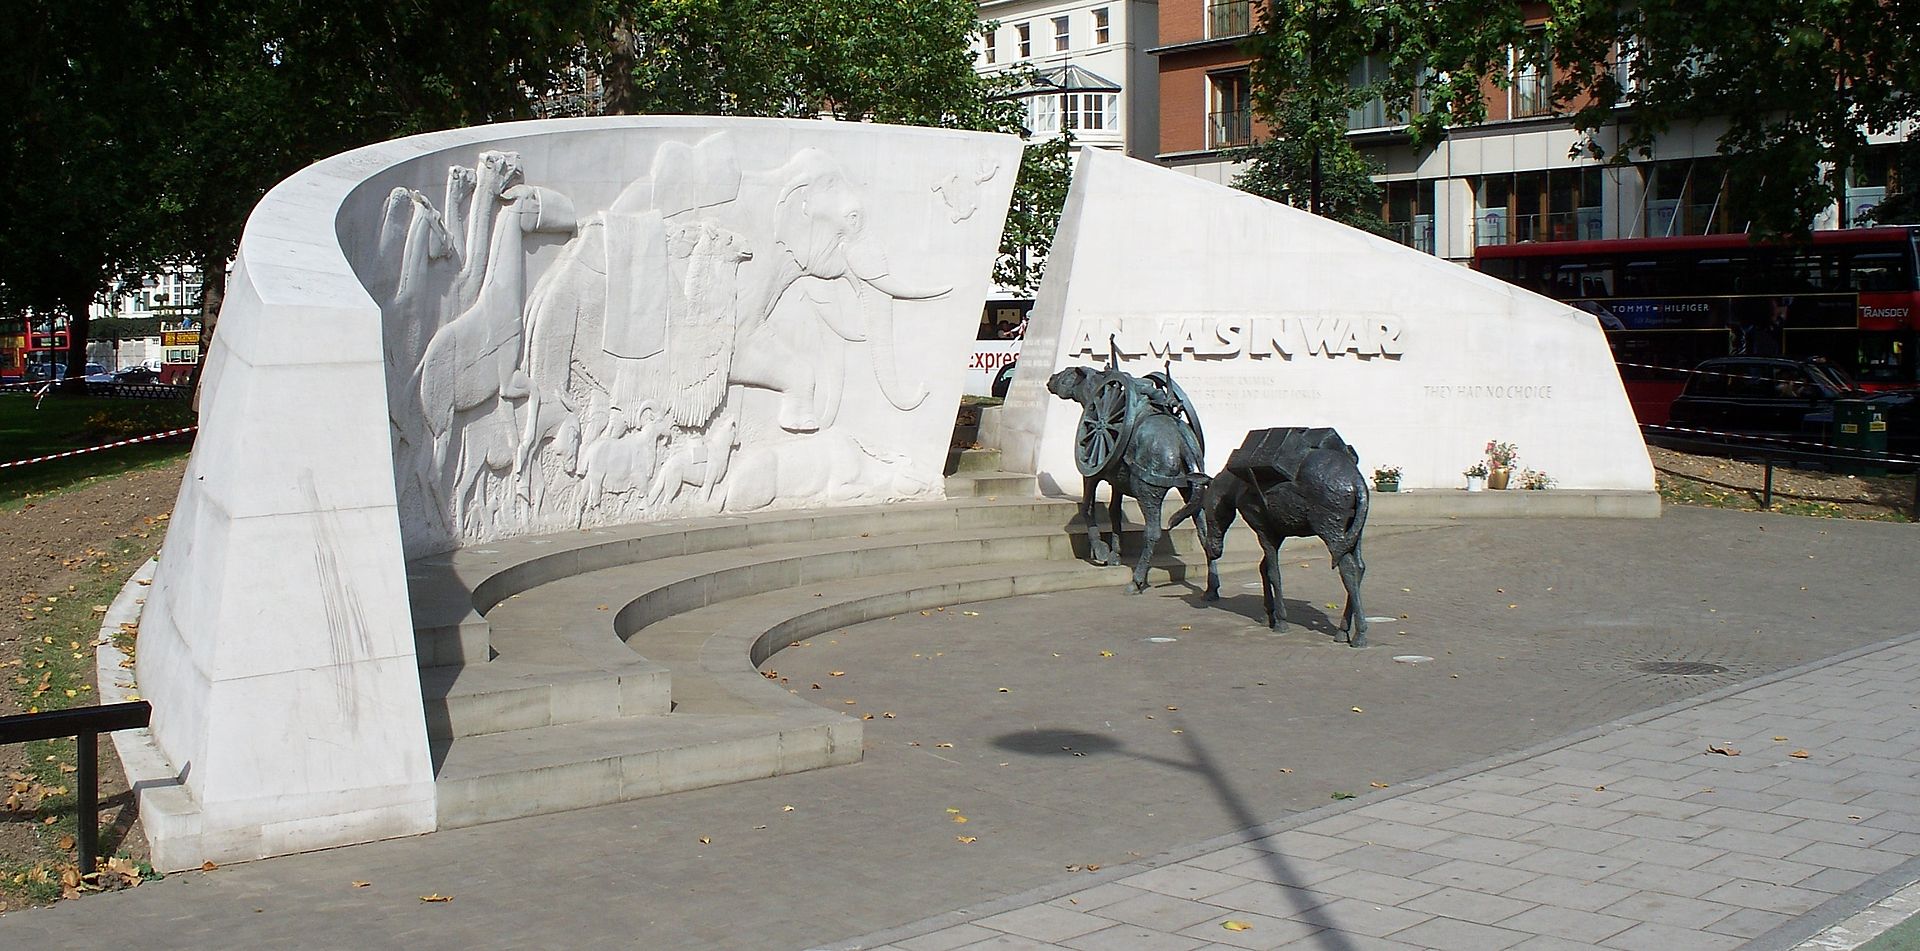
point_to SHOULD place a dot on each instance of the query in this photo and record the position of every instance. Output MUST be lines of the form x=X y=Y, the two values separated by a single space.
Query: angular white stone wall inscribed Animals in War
x=1276 y=318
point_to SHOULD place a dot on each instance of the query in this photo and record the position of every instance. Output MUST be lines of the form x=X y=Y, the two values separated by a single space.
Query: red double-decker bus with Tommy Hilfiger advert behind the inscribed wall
x=1846 y=297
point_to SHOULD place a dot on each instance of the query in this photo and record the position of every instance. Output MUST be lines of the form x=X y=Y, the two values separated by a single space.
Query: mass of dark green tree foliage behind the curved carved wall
x=147 y=132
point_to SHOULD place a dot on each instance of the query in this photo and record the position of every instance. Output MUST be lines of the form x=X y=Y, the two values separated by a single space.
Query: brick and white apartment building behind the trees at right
x=1508 y=180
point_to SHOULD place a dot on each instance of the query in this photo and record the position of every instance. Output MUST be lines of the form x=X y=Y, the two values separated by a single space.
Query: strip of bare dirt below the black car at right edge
x=1733 y=485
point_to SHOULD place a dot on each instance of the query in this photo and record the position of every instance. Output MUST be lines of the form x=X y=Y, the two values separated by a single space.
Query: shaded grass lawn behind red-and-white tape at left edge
x=62 y=424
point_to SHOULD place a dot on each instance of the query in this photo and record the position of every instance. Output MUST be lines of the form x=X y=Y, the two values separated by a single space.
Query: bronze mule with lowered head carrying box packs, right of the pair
x=1289 y=483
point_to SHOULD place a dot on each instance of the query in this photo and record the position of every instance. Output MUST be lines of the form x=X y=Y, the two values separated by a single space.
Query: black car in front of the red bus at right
x=1779 y=397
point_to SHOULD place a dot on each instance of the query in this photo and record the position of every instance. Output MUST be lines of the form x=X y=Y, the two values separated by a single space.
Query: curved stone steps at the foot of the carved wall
x=615 y=664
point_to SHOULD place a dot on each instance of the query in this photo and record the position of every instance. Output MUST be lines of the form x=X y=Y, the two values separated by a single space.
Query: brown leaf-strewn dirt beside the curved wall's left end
x=64 y=556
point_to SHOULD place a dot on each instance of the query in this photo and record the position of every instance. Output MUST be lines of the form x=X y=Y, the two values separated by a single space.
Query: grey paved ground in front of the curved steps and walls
x=1136 y=733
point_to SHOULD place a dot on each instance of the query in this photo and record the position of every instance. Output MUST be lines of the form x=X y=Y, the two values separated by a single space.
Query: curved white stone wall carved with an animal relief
x=517 y=329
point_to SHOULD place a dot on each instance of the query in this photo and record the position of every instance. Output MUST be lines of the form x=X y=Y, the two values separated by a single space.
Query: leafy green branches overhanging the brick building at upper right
x=1798 y=84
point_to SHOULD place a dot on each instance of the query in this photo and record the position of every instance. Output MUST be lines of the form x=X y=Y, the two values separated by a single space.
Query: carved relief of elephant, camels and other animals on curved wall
x=684 y=353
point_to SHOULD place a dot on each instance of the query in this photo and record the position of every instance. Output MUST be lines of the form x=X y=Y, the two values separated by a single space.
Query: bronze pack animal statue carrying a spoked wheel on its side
x=1140 y=437
